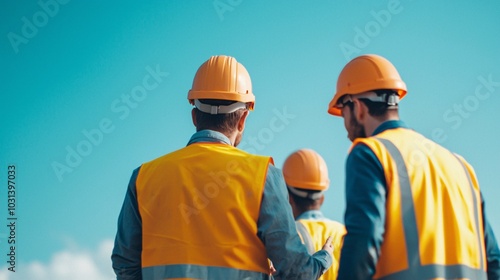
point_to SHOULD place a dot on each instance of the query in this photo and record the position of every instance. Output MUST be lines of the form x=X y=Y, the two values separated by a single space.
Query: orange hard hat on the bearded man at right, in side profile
x=366 y=73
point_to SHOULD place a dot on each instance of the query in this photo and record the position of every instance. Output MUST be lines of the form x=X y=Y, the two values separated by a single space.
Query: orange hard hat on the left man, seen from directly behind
x=222 y=78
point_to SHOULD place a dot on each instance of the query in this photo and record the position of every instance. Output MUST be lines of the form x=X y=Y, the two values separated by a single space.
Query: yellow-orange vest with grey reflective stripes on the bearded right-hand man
x=434 y=226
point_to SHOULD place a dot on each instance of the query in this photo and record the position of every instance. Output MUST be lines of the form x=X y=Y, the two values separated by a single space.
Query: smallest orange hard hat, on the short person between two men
x=306 y=169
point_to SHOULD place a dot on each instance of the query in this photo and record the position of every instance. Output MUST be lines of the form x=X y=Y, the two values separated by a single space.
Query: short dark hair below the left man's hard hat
x=224 y=123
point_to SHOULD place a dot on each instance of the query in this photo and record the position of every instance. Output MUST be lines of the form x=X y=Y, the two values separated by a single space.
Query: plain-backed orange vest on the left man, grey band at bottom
x=199 y=208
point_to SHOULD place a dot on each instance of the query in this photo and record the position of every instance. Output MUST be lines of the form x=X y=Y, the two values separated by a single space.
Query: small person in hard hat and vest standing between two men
x=306 y=177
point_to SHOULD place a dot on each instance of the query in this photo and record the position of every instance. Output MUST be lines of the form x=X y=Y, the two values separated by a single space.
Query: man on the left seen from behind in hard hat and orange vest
x=210 y=210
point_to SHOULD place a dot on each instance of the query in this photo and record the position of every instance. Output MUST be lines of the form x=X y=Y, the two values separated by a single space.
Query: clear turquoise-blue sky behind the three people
x=74 y=70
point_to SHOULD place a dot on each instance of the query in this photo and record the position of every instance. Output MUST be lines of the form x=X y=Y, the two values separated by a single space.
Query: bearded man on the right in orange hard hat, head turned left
x=414 y=210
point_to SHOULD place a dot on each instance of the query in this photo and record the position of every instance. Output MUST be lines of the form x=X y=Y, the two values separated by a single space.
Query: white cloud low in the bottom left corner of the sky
x=71 y=264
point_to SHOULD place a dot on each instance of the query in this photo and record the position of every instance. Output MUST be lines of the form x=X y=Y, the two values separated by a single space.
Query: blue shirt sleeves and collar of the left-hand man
x=275 y=227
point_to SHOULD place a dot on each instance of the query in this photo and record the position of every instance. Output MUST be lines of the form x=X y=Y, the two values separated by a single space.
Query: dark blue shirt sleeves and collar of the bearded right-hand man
x=366 y=192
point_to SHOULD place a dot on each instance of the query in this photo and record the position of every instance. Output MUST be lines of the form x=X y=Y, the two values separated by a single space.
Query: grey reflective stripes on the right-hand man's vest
x=416 y=270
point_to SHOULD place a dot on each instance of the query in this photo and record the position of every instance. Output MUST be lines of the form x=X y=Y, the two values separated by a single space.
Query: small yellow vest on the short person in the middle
x=314 y=234
